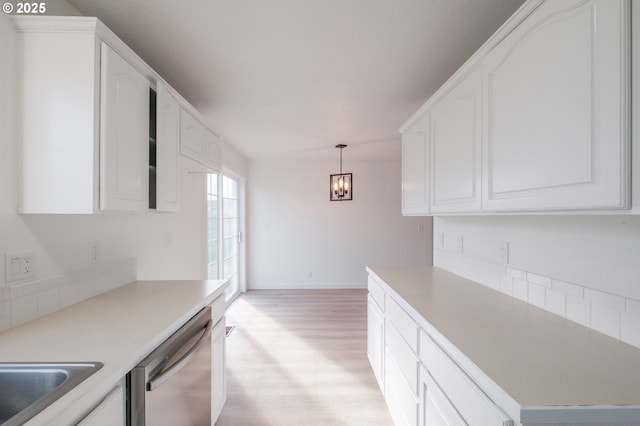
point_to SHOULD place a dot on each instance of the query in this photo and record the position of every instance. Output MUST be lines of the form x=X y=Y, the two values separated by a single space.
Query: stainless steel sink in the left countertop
x=28 y=388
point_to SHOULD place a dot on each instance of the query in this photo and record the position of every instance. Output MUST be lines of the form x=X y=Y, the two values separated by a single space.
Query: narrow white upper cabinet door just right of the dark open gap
x=168 y=145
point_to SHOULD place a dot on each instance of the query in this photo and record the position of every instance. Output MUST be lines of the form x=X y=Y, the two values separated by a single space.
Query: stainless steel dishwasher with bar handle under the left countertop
x=172 y=386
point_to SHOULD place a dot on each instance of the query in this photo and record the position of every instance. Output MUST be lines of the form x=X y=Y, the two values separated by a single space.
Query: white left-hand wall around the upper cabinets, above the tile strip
x=164 y=245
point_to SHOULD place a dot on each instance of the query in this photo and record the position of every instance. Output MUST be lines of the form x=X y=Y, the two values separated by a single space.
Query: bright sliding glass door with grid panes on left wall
x=223 y=234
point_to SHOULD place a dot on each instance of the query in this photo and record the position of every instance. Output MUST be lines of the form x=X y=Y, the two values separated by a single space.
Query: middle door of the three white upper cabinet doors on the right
x=456 y=141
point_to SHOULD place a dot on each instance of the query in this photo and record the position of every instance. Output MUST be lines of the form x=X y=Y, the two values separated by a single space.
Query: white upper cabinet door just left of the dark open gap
x=124 y=135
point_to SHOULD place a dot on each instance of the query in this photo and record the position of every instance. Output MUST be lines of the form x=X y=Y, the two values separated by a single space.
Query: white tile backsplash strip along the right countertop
x=611 y=314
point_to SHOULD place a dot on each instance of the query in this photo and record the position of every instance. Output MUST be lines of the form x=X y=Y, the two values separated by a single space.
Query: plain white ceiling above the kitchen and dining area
x=296 y=77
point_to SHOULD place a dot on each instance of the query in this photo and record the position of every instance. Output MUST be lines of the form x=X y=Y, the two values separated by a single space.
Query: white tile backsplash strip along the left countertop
x=23 y=302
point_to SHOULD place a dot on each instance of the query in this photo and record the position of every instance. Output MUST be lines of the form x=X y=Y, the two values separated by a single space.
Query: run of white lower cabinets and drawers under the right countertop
x=422 y=384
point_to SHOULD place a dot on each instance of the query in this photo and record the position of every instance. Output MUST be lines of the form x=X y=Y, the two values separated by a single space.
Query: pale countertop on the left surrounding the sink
x=118 y=328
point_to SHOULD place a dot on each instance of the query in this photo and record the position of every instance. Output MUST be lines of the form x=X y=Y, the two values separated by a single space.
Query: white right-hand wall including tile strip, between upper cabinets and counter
x=584 y=268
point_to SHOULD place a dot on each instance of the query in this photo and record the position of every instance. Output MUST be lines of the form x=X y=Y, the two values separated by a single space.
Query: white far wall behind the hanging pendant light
x=294 y=230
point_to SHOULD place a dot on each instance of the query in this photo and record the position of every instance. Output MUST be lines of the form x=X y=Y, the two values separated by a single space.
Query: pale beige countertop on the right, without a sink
x=538 y=358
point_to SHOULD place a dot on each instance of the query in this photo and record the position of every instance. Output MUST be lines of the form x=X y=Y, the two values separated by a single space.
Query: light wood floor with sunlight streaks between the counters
x=298 y=358
